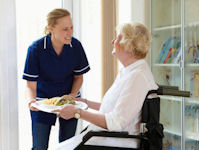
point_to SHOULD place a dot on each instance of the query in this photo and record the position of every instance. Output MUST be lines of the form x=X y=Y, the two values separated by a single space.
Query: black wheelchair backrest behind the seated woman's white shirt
x=153 y=128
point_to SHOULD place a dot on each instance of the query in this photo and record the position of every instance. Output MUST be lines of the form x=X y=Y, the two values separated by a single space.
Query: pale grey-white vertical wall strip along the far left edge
x=8 y=75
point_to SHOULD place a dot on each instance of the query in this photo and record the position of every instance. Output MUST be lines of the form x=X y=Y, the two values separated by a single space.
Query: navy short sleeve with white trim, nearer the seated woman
x=82 y=65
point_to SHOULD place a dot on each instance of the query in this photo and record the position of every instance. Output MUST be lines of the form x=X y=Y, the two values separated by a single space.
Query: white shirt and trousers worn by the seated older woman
x=122 y=103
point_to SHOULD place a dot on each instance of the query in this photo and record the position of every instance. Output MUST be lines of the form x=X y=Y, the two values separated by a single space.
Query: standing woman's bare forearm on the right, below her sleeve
x=77 y=83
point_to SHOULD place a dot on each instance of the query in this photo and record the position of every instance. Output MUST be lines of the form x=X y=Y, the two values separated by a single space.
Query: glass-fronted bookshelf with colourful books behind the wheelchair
x=175 y=61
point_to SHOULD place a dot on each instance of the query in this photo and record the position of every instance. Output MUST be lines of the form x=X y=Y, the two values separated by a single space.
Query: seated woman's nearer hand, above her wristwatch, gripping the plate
x=67 y=112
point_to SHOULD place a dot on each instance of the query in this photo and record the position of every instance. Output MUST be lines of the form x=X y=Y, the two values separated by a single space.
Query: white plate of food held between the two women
x=48 y=105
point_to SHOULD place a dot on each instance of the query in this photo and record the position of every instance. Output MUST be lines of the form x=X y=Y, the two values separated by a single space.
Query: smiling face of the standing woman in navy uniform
x=63 y=30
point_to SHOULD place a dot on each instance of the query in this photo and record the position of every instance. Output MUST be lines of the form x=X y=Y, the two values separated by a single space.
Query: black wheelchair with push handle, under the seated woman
x=151 y=133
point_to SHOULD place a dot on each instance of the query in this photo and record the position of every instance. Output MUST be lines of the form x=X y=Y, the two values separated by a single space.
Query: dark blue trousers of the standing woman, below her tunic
x=41 y=132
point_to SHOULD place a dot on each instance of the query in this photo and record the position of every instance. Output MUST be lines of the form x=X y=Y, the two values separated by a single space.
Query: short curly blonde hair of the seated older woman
x=136 y=38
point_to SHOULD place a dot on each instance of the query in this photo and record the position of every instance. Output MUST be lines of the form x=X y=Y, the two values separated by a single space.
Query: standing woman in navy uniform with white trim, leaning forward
x=54 y=66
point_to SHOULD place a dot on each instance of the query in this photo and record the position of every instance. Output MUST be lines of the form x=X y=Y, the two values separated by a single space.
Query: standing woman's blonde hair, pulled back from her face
x=53 y=16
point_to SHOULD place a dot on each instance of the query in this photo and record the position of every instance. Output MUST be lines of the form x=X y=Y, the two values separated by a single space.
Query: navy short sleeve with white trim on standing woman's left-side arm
x=31 y=70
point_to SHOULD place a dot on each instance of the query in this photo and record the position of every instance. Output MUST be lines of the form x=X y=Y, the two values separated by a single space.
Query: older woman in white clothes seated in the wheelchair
x=120 y=109
